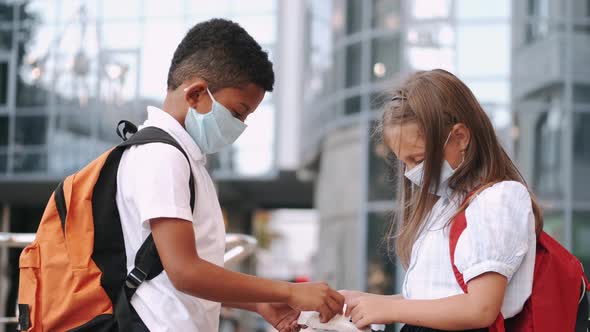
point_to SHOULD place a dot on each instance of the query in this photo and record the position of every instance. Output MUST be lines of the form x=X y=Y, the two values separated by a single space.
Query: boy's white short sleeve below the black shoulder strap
x=160 y=182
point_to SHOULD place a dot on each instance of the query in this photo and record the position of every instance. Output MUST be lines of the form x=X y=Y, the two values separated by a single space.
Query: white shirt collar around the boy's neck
x=161 y=119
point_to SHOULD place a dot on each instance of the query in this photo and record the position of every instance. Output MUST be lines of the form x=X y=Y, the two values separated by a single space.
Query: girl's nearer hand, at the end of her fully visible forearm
x=367 y=309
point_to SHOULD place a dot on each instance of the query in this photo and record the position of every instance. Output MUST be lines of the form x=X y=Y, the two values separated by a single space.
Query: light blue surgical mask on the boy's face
x=214 y=130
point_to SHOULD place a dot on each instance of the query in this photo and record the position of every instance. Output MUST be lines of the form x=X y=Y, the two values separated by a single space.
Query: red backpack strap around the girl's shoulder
x=458 y=225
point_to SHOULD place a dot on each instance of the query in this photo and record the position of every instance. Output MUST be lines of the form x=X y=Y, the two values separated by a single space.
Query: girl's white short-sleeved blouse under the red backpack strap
x=500 y=237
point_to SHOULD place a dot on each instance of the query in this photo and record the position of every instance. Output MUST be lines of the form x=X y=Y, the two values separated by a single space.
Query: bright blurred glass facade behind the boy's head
x=69 y=70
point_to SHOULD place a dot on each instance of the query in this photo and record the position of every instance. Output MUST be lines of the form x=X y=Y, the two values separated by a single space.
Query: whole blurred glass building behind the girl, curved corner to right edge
x=358 y=49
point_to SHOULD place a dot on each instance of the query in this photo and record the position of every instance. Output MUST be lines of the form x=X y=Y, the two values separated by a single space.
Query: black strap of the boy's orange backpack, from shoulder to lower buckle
x=147 y=263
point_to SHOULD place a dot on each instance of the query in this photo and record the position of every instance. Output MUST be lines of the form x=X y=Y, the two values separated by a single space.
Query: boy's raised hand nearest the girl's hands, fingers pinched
x=316 y=296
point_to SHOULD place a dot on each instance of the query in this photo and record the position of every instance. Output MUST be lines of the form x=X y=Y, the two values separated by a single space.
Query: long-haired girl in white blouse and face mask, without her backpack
x=447 y=149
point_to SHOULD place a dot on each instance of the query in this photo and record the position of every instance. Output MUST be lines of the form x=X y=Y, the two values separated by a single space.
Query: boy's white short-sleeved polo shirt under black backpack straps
x=153 y=182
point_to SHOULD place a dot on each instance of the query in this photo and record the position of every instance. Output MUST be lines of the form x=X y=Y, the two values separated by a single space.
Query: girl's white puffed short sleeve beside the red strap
x=497 y=235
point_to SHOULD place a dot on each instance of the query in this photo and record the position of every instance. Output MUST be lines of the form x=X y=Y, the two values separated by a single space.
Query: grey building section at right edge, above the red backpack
x=551 y=98
